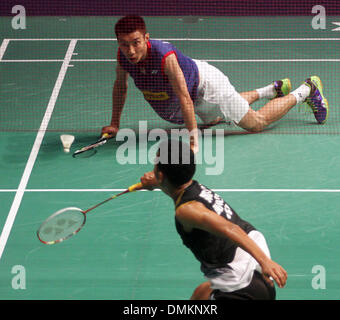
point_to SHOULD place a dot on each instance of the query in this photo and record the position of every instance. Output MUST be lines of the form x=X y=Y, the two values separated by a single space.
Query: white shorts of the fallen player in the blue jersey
x=217 y=97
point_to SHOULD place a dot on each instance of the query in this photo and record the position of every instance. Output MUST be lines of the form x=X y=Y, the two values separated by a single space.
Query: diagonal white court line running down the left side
x=35 y=149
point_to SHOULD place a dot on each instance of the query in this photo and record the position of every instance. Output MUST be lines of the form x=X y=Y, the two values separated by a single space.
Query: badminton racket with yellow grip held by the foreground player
x=67 y=222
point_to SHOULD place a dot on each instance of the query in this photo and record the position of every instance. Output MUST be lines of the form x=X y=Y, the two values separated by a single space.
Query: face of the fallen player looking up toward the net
x=134 y=46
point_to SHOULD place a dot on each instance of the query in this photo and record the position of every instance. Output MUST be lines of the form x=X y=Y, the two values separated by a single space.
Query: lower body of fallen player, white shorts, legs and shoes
x=216 y=89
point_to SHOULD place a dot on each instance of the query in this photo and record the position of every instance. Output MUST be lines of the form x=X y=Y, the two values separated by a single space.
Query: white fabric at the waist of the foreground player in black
x=242 y=268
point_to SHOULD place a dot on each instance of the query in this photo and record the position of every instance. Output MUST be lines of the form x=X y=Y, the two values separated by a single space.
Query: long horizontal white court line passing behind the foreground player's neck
x=215 y=190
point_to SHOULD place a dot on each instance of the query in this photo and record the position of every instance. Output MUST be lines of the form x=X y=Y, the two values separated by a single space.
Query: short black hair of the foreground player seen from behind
x=177 y=161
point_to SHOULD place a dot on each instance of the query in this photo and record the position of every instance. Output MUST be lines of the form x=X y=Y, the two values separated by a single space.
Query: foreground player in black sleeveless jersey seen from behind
x=234 y=256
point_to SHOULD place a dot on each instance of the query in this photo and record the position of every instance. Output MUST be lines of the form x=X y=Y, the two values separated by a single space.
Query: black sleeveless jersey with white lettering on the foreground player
x=212 y=251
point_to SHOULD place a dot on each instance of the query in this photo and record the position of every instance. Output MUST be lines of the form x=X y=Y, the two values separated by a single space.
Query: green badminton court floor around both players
x=56 y=77
